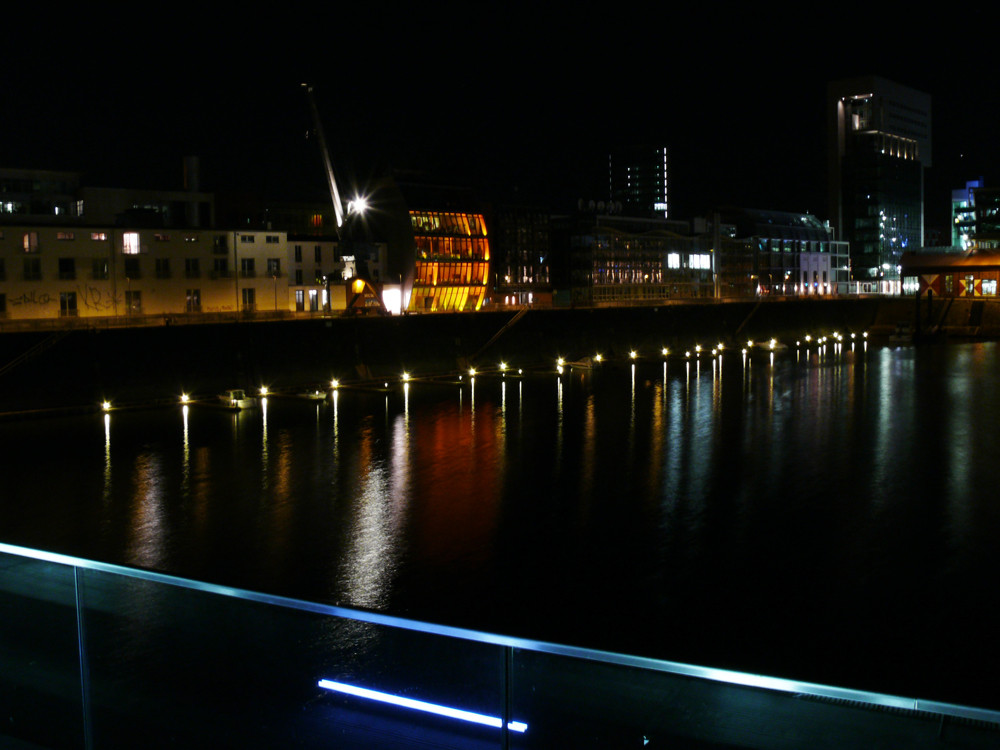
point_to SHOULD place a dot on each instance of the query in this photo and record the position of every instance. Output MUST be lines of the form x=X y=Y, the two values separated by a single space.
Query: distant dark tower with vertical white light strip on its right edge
x=638 y=181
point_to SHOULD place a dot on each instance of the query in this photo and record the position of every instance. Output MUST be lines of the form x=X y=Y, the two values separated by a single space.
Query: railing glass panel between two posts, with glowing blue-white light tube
x=200 y=669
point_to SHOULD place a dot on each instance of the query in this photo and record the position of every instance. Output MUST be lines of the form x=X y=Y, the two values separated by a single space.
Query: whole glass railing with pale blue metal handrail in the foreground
x=94 y=655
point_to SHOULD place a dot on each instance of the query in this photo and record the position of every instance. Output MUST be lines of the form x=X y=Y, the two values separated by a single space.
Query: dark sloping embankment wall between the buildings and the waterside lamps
x=44 y=370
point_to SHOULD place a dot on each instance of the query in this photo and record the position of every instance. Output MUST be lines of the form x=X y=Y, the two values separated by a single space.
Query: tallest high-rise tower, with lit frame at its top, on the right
x=879 y=144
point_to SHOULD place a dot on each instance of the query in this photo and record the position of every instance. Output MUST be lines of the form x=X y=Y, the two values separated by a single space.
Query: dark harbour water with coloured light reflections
x=831 y=516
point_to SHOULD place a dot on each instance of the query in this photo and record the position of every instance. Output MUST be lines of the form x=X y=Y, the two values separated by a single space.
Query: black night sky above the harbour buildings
x=511 y=101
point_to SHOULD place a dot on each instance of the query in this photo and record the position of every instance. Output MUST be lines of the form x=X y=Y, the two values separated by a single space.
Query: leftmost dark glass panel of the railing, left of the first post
x=39 y=661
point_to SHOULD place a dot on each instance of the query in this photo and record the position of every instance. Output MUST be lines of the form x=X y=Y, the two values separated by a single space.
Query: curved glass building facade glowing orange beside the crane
x=452 y=261
